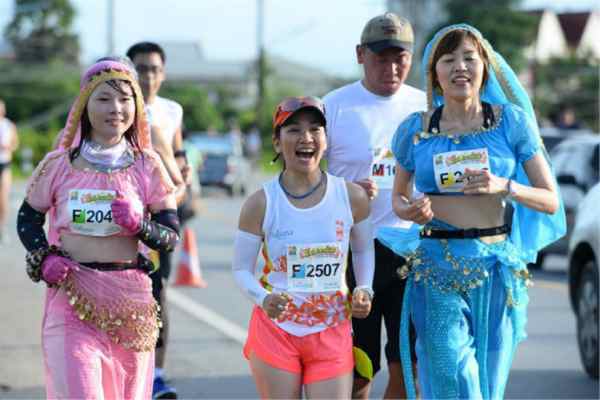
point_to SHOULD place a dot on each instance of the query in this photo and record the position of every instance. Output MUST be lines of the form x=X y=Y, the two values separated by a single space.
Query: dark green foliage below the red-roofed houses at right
x=568 y=81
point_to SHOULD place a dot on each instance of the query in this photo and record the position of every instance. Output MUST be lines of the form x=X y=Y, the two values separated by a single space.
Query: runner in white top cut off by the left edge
x=8 y=144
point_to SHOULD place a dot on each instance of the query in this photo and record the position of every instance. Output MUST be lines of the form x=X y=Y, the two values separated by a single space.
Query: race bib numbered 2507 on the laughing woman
x=315 y=267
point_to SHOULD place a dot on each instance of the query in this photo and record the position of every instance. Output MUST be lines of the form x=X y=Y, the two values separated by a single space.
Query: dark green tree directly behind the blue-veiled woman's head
x=508 y=29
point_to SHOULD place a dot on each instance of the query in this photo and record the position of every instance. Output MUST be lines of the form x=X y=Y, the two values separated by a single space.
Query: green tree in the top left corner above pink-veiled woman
x=40 y=32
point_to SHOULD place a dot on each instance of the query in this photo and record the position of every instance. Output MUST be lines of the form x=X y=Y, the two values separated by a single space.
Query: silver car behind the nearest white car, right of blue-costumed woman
x=576 y=163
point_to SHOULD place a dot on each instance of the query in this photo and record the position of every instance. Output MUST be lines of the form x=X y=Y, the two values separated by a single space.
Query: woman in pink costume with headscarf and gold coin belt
x=105 y=191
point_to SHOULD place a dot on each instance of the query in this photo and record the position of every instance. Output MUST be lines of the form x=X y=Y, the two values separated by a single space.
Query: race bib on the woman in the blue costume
x=449 y=167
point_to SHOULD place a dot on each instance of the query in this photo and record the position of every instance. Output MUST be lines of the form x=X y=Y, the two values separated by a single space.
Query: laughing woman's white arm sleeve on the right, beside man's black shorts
x=363 y=253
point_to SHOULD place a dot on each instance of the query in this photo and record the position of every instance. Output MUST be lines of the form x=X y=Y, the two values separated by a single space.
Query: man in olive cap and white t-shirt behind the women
x=362 y=118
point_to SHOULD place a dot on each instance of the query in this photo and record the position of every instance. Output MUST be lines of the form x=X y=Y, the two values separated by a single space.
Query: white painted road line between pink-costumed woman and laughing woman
x=206 y=315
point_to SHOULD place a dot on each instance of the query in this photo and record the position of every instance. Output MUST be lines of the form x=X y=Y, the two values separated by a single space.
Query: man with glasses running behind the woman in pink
x=165 y=117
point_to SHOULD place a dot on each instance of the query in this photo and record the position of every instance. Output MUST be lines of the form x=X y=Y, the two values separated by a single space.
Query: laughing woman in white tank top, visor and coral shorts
x=299 y=335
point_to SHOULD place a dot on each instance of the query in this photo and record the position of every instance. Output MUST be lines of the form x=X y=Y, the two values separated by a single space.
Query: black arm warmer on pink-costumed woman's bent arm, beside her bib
x=161 y=232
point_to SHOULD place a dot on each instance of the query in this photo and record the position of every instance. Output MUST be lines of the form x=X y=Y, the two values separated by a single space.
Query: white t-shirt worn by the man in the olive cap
x=360 y=127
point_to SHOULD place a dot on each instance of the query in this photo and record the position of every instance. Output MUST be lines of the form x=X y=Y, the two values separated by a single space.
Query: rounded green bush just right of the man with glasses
x=199 y=113
